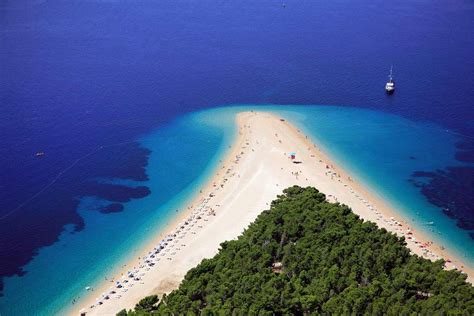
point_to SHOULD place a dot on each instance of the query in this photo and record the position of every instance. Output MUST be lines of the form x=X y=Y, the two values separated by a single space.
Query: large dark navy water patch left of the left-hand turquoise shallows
x=40 y=221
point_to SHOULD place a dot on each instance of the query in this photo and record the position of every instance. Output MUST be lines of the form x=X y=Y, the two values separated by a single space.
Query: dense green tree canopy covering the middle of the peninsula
x=306 y=256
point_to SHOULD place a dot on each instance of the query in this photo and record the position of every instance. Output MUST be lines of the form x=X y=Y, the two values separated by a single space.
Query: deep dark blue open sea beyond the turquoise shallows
x=82 y=80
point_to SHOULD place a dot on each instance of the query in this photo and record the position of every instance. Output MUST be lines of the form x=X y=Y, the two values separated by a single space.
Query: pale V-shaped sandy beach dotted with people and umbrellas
x=255 y=171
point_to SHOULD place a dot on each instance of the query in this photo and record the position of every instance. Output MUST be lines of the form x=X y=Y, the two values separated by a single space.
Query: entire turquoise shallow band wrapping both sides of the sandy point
x=379 y=149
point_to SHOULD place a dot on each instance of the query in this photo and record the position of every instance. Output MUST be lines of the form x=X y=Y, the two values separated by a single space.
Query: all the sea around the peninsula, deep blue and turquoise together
x=116 y=94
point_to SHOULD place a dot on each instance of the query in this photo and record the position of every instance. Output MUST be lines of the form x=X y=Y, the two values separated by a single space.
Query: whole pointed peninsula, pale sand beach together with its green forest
x=325 y=258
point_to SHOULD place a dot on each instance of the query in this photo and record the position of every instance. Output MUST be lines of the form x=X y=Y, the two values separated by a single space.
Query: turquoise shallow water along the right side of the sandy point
x=383 y=151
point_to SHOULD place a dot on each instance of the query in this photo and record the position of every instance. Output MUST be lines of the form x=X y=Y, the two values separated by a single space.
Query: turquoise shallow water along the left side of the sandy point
x=183 y=155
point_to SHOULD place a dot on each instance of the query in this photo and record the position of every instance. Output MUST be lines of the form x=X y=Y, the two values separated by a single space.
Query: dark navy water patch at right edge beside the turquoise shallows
x=451 y=189
